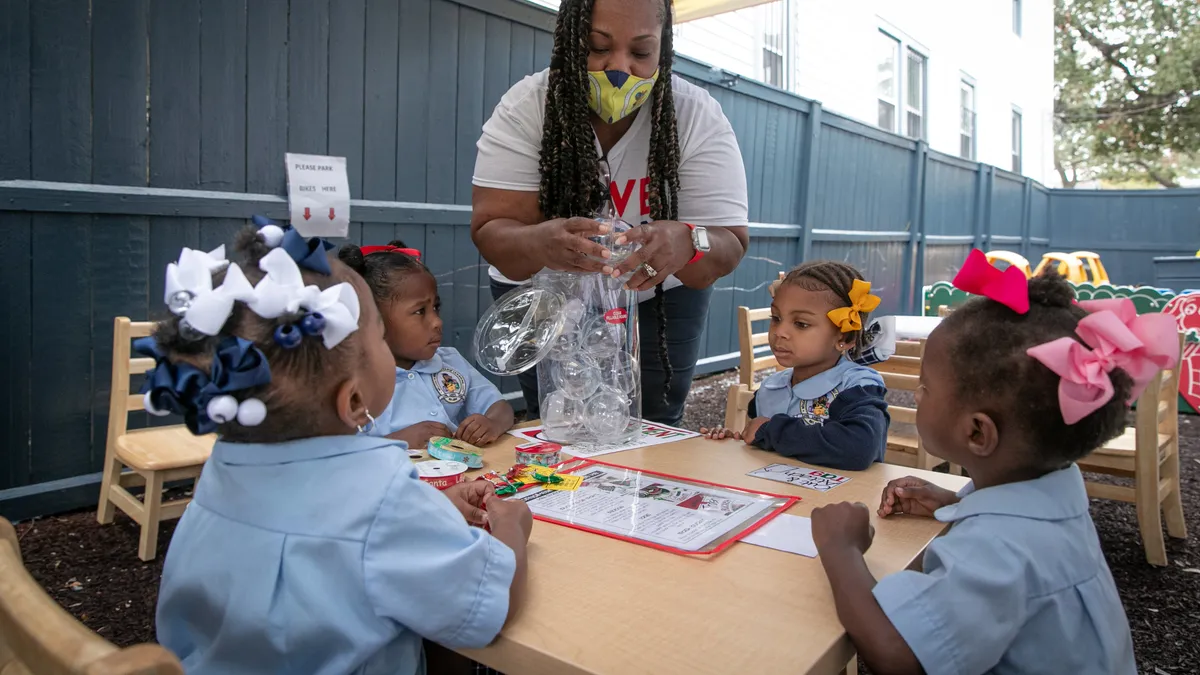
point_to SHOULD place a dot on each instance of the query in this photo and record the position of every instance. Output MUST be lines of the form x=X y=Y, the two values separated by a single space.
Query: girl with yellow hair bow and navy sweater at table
x=823 y=408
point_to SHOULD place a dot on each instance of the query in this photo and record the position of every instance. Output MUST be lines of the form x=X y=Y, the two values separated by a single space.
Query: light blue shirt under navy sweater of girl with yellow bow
x=811 y=399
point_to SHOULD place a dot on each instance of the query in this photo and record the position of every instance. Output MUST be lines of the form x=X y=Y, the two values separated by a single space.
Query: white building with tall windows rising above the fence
x=974 y=79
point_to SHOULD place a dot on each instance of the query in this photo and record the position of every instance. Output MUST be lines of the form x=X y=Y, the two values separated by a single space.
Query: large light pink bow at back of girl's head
x=1119 y=338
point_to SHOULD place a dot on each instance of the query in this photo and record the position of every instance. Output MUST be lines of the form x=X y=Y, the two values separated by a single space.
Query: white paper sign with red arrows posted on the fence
x=319 y=195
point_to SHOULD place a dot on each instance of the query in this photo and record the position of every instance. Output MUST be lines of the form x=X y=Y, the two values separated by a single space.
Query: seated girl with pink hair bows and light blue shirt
x=1013 y=392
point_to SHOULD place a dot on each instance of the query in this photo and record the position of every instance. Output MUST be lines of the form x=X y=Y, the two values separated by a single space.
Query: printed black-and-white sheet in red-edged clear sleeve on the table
x=631 y=504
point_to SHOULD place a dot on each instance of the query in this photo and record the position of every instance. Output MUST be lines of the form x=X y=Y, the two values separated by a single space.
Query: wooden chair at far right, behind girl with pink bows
x=1149 y=452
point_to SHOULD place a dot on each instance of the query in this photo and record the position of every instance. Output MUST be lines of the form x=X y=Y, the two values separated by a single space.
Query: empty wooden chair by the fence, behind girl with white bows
x=148 y=458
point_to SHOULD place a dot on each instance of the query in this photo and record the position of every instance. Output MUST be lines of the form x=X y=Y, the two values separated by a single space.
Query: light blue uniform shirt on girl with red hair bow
x=445 y=389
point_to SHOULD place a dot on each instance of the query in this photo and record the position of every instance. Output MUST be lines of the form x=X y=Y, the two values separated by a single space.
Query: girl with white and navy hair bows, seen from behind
x=310 y=548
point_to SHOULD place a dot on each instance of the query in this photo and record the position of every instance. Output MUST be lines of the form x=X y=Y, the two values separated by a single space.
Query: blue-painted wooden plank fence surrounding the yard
x=133 y=129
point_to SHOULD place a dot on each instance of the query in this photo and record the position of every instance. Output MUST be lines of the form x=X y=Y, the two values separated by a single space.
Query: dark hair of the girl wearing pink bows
x=987 y=347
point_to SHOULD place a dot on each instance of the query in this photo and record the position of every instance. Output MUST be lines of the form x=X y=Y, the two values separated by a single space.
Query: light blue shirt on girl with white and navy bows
x=326 y=557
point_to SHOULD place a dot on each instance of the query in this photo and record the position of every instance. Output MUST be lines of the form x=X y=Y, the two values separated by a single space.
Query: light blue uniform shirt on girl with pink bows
x=1018 y=586
